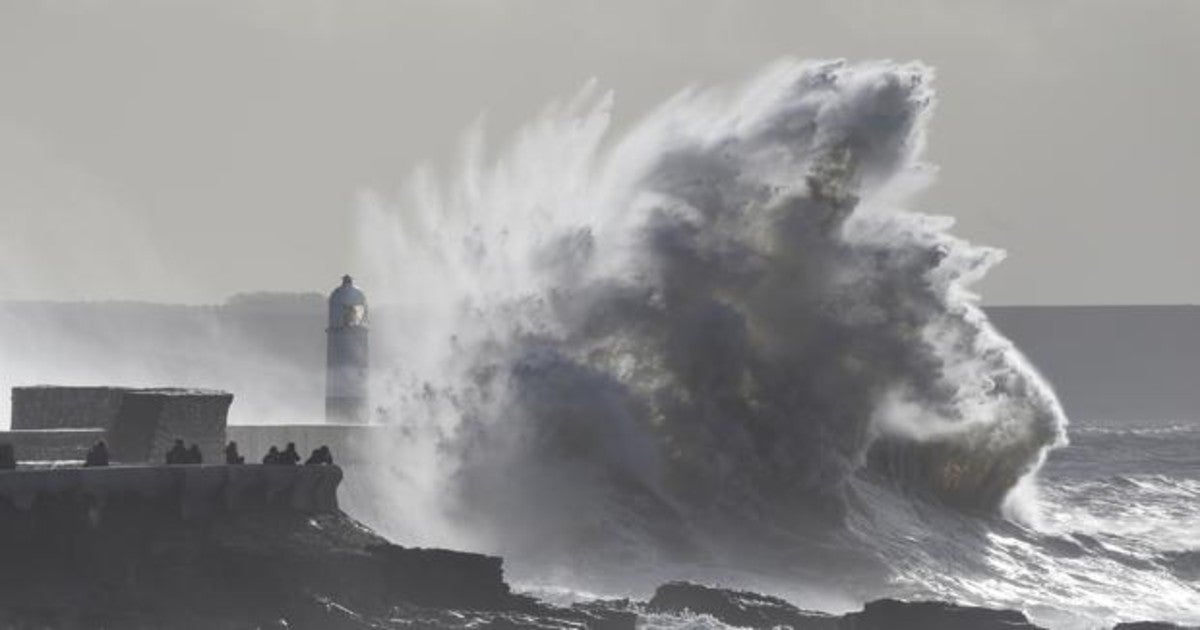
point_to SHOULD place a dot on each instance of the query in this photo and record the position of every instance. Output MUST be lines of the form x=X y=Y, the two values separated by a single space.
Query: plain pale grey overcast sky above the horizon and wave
x=184 y=152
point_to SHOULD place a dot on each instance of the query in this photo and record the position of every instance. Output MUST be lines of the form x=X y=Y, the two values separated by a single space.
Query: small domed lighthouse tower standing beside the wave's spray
x=347 y=357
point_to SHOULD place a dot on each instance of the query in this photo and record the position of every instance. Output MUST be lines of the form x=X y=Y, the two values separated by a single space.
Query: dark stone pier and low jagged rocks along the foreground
x=259 y=547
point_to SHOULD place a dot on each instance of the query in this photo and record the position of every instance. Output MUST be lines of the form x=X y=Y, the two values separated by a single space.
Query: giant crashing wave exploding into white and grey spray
x=710 y=329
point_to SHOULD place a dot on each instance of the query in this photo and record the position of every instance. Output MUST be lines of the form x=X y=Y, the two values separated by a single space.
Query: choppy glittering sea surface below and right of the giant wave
x=1113 y=536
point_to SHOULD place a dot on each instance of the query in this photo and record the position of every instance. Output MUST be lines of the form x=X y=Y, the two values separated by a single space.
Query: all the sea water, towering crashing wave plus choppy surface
x=727 y=347
